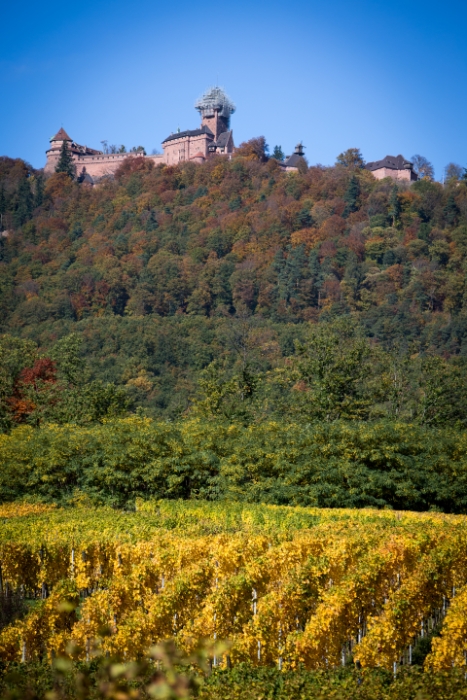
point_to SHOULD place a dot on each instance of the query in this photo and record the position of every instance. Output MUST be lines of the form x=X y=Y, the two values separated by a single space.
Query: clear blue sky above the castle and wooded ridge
x=386 y=77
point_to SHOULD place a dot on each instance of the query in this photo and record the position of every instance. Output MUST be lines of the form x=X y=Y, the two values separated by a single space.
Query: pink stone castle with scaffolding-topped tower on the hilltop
x=213 y=137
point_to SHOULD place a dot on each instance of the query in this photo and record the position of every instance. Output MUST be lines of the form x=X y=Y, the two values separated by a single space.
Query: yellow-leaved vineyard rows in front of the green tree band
x=286 y=587
